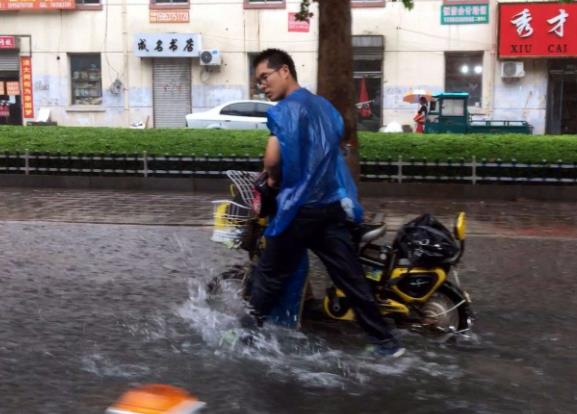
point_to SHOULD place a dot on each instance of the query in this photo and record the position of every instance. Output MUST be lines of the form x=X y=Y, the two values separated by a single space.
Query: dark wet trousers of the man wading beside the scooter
x=324 y=231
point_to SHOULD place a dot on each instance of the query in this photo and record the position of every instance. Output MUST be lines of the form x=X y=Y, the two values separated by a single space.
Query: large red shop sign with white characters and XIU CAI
x=537 y=30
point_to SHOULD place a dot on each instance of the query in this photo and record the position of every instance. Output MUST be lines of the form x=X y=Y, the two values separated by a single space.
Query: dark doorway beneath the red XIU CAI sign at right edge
x=562 y=97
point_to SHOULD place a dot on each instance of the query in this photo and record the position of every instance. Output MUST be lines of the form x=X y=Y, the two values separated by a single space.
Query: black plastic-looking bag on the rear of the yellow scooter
x=424 y=241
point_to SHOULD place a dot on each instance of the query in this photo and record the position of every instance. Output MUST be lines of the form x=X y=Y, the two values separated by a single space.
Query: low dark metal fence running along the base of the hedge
x=392 y=170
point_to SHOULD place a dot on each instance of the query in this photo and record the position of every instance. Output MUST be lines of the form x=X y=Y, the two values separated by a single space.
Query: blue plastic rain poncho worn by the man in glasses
x=314 y=171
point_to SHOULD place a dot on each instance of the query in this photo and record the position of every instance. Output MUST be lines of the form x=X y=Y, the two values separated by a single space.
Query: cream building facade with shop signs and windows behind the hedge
x=119 y=62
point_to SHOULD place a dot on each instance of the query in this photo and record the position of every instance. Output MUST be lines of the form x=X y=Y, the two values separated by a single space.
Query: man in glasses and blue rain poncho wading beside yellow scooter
x=316 y=197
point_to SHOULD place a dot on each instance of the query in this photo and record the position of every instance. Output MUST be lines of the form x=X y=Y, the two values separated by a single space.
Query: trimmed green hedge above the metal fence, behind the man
x=375 y=146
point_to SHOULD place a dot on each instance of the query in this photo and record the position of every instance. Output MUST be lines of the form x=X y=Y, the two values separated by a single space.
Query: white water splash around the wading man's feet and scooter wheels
x=288 y=354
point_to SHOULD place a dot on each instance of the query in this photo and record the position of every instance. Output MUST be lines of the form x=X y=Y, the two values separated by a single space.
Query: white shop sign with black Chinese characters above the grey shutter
x=167 y=44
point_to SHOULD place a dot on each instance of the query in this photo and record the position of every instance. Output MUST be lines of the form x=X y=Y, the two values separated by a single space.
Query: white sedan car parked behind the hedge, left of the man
x=232 y=115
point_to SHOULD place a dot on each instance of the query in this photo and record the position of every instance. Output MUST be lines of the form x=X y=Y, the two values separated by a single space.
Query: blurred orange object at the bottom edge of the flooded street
x=156 y=399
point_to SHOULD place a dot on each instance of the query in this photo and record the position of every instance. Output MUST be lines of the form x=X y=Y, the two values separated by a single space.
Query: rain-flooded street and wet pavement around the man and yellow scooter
x=103 y=290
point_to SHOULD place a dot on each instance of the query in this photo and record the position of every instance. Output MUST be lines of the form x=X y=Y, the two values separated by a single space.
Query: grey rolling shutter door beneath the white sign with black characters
x=172 y=100
